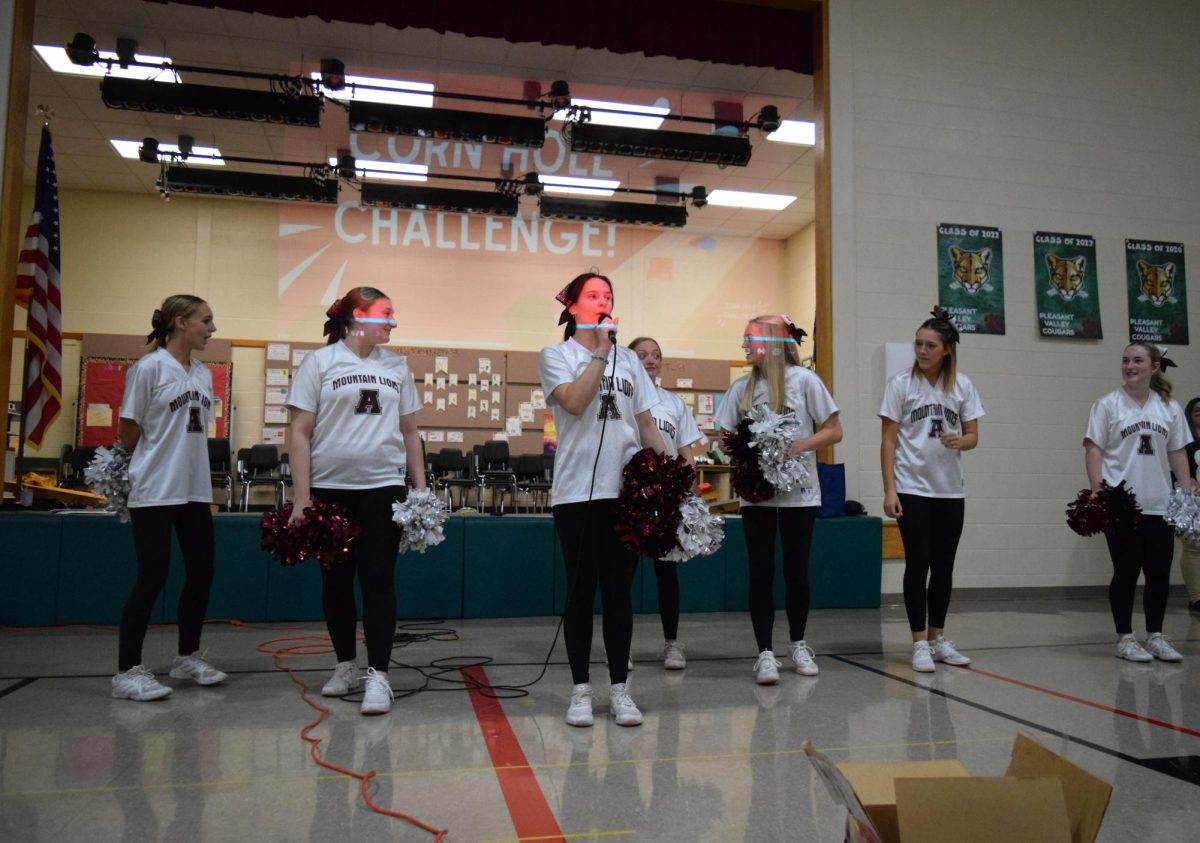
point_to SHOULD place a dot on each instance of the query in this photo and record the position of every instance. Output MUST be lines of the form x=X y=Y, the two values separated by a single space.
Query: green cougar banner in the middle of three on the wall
x=1067 y=286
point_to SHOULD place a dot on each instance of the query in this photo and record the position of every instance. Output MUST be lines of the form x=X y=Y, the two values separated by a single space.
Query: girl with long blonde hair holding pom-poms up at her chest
x=779 y=387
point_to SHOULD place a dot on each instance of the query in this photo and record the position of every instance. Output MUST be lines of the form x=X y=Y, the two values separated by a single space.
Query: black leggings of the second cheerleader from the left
x=374 y=558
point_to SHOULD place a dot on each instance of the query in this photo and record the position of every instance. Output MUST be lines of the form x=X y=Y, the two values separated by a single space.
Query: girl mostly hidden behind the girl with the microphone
x=680 y=434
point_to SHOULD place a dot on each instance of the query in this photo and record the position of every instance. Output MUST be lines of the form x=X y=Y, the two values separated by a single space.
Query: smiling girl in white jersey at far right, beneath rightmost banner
x=1138 y=434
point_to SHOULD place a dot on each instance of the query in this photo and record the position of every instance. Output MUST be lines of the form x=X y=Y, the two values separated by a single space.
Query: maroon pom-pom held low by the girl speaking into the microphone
x=649 y=507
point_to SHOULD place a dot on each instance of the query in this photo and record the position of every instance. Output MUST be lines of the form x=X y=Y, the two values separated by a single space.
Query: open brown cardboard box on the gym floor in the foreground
x=1041 y=798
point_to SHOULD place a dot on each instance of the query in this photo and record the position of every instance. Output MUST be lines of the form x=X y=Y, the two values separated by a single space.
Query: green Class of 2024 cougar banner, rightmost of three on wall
x=1159 y=301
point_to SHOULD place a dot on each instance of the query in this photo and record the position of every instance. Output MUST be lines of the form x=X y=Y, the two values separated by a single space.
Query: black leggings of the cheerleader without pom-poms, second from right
x=931 y=530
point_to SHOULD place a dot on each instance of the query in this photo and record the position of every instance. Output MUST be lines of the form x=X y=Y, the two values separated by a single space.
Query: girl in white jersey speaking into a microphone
x=602 y=400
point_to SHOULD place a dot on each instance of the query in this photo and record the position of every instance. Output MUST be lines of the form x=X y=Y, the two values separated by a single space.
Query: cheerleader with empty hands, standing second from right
x=931 y=416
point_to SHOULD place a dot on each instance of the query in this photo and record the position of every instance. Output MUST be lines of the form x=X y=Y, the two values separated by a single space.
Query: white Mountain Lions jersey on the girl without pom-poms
x=923 y=465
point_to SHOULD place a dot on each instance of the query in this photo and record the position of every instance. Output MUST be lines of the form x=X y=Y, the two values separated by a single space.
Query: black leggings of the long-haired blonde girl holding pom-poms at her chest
x=795 y=525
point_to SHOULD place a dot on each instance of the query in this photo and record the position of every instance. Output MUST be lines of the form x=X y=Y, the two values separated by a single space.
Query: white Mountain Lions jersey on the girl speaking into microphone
x=620 y=399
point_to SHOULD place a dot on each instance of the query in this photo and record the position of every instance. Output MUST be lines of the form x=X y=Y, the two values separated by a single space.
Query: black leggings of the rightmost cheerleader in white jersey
x=1148 y=549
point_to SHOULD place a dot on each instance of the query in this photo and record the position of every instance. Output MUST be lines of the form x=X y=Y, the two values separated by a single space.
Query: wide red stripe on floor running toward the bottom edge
x=532 y=817
